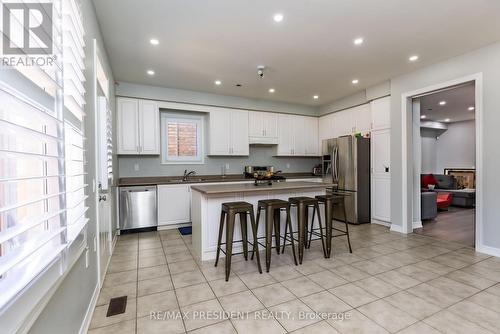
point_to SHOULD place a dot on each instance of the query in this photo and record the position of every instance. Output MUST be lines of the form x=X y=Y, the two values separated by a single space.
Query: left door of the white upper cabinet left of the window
x=128 y=126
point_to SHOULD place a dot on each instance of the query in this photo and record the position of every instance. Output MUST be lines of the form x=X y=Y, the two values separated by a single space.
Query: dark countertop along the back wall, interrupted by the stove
x=160 y=180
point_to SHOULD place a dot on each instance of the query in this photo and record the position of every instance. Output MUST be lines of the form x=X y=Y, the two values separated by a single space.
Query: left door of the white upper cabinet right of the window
x=219 y=132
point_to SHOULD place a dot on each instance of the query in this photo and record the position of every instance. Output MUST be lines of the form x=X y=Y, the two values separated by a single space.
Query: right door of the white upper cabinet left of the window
x=149 y=127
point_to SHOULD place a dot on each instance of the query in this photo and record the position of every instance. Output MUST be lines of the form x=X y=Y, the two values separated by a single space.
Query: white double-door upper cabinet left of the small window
x=138 y=127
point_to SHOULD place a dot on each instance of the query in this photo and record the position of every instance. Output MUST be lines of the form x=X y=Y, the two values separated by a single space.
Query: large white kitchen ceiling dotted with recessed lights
x=310 y=52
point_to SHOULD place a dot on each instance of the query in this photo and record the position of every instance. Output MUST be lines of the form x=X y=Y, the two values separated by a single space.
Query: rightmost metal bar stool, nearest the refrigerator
x=330 y=201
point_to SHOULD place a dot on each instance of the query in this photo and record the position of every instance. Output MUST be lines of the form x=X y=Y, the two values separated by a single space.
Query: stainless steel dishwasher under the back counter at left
x=138 y=207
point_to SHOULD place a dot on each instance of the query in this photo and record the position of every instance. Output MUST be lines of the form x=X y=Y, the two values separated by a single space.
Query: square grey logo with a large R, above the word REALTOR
x=27 y=28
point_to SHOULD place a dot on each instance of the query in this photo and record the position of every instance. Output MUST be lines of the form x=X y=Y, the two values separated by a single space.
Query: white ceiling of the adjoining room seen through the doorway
x=458 y=100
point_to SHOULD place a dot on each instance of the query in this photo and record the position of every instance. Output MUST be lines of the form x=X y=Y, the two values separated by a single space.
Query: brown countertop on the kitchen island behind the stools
x=250 y=187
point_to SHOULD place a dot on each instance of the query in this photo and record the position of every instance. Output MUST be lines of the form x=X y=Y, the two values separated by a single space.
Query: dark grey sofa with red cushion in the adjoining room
x=448 y=184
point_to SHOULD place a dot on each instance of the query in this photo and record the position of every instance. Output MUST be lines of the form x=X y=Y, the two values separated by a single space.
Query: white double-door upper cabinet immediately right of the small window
x=228 y=132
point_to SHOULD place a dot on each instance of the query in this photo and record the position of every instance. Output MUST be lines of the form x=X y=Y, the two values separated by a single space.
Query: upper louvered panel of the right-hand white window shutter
x=73 y=56
